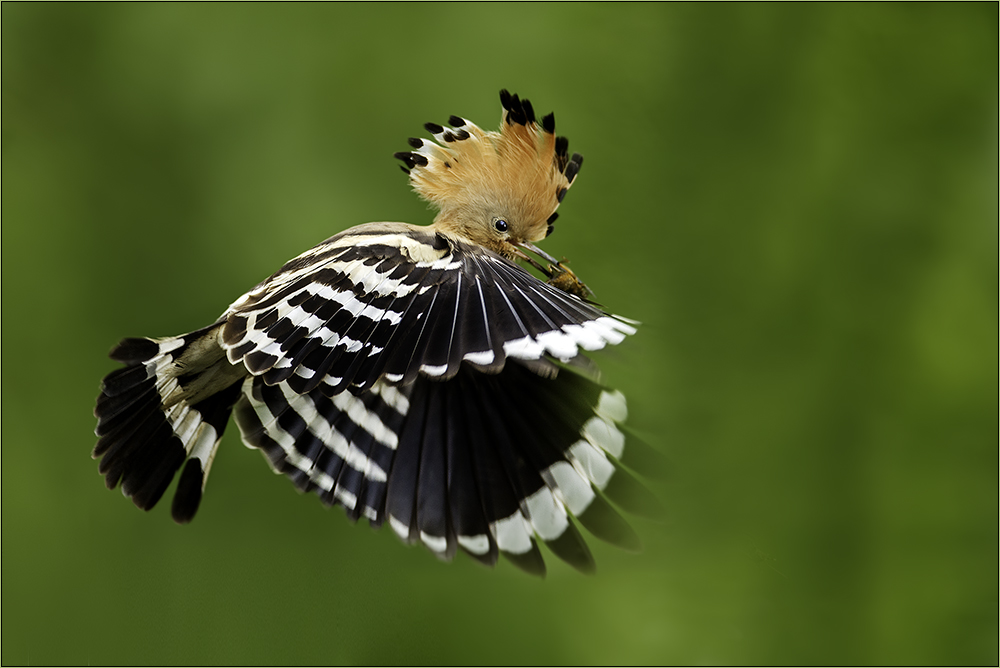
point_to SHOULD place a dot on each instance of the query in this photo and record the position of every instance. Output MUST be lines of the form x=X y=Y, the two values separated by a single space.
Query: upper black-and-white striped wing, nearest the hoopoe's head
x=397 y=301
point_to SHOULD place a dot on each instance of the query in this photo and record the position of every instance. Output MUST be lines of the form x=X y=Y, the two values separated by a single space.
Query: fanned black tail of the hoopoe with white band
x=158 y=412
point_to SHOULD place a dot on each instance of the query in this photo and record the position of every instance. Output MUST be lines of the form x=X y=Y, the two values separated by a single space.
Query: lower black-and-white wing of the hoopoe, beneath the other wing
x=489 y=463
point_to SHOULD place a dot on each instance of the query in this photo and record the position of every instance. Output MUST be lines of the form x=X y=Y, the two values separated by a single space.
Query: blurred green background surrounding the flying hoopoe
x=799 y=202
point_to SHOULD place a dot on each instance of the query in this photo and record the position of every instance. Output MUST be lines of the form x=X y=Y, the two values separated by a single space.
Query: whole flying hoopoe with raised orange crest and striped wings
x=415 y=375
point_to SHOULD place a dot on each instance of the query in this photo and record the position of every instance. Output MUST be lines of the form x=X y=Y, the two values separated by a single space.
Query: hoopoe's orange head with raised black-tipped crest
x=497 y=189
